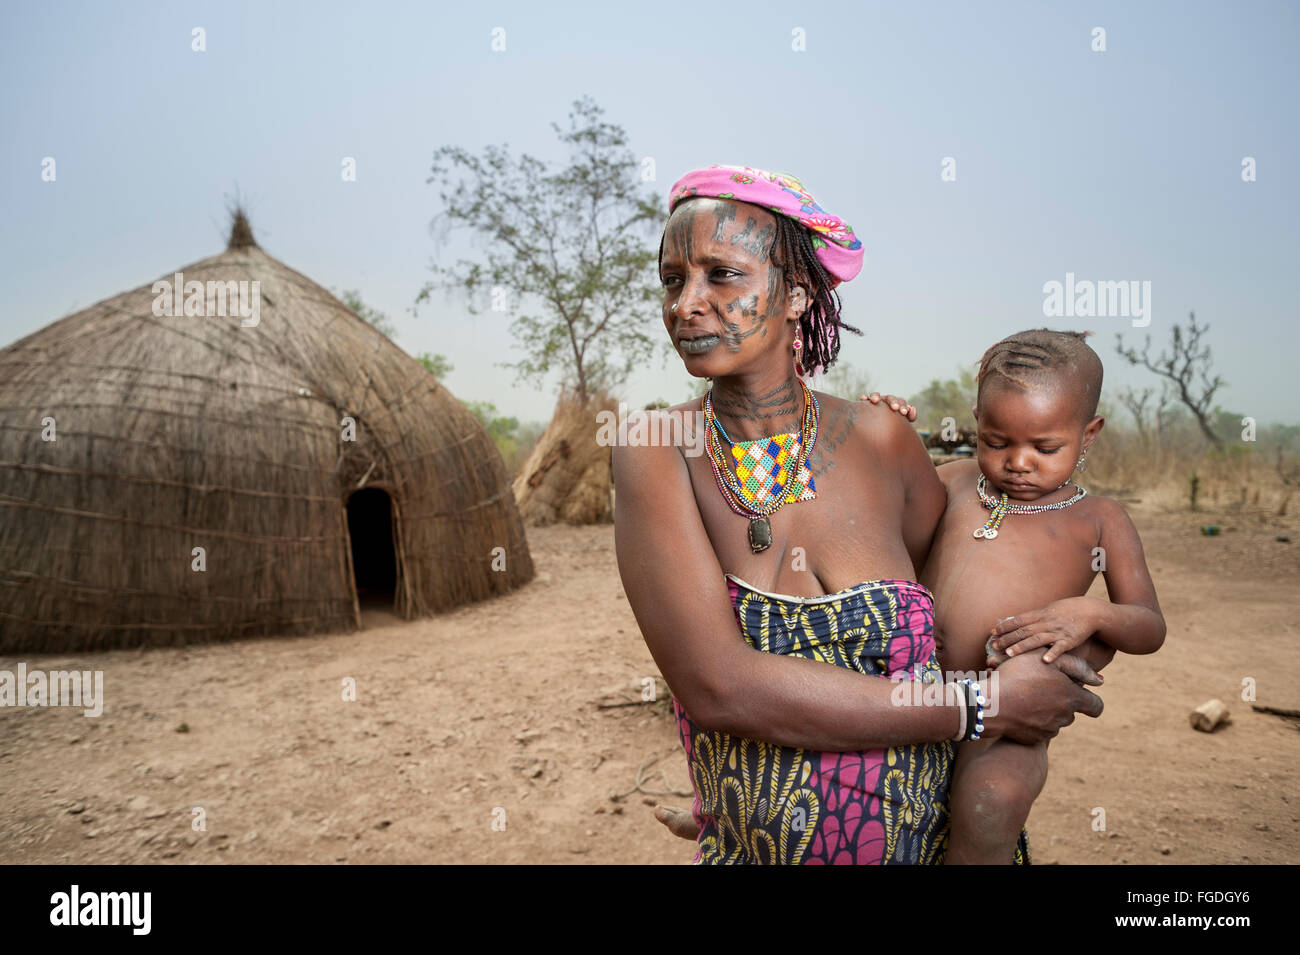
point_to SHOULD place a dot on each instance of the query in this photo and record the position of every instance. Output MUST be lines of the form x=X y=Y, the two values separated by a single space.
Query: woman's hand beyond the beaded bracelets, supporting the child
x=1035 y=701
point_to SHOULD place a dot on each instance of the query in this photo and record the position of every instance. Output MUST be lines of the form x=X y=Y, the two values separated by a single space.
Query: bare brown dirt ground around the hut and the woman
x=492 y=715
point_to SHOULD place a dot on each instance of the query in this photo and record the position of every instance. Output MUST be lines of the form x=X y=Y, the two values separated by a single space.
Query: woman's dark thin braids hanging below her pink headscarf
x=794 y=254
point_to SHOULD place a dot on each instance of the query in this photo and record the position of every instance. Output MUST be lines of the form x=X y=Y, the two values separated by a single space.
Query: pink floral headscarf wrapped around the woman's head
x=838 y=249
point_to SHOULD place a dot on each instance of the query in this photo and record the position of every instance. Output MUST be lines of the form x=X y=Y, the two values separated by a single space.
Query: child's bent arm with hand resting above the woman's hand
x=1130 y=622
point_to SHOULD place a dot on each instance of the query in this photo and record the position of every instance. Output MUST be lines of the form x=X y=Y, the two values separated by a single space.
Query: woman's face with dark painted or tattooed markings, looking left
x=733 y=310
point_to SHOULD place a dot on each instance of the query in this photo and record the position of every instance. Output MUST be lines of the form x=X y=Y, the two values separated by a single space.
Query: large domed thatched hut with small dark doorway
x=176 y=470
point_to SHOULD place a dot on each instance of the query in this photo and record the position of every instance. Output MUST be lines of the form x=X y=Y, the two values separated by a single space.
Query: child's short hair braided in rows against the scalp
x=1042 y=358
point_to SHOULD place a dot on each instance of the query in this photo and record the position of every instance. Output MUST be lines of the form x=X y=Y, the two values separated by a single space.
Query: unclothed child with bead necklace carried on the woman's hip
x=1019 y=536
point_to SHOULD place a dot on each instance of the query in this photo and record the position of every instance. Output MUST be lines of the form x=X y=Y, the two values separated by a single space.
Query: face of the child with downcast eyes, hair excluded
x=1030 y=440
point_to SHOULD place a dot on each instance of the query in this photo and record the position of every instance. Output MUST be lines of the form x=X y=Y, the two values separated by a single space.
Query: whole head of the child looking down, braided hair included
x=1037 y=410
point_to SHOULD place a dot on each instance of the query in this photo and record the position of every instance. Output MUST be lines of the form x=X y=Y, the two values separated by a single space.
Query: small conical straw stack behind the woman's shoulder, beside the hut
x=567 y=477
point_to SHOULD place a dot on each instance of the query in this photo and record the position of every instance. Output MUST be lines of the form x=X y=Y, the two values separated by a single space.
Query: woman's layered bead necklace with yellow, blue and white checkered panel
x=770 y=472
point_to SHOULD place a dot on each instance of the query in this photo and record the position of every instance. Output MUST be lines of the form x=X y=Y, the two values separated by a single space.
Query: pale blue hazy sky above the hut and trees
x=1112 y=166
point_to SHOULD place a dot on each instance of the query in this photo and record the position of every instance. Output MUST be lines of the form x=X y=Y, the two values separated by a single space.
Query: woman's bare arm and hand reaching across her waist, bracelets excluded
x=679 y=596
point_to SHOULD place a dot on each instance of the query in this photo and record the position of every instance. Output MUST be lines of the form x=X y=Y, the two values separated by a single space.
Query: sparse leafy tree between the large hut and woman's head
x=573 y=249
